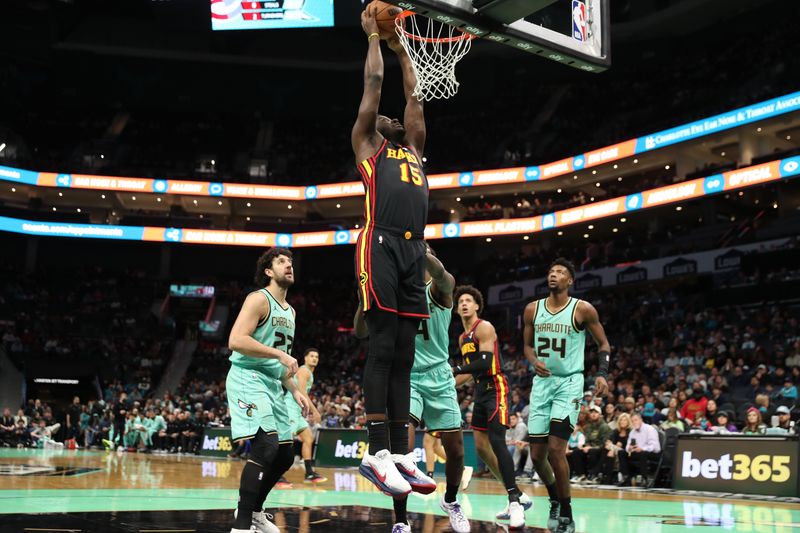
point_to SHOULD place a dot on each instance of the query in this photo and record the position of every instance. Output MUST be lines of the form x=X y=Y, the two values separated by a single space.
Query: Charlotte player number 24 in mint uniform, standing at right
x=554 y=343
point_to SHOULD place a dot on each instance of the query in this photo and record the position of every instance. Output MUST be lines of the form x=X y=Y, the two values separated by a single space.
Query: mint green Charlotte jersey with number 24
x=559 y=342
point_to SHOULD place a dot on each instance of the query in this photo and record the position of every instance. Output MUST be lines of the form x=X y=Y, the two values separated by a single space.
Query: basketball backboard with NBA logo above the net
x=572 y=32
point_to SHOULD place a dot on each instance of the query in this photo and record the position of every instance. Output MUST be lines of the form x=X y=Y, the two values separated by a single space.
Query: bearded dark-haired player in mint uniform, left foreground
x=261 y=340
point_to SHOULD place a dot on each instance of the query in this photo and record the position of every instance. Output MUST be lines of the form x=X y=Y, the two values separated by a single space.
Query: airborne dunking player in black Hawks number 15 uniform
x=390 y=264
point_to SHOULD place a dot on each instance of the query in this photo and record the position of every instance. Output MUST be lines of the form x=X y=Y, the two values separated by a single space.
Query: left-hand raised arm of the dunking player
x=365 y=137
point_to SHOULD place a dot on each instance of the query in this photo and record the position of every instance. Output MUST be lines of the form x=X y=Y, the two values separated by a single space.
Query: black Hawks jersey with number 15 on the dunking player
x=396 y=190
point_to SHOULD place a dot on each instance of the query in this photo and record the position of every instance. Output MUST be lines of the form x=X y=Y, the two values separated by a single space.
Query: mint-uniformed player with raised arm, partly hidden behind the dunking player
x=433 y=390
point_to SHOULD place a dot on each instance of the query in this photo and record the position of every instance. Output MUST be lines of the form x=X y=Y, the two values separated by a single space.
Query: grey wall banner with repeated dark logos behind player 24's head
x=711 y=261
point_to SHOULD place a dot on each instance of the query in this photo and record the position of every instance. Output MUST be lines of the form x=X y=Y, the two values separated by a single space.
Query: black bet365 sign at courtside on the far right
x=747 y=465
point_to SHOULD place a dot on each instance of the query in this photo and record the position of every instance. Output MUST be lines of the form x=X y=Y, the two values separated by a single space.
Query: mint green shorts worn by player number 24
x=554 y=398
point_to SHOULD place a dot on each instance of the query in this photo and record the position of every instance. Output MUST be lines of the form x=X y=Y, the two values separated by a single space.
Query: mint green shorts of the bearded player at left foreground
x=256 y=401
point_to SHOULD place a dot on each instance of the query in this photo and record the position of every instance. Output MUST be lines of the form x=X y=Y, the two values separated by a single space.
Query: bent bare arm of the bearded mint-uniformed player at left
x=255 y=309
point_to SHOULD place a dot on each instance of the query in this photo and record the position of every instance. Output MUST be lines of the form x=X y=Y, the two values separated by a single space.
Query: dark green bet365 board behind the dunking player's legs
x=346 y=447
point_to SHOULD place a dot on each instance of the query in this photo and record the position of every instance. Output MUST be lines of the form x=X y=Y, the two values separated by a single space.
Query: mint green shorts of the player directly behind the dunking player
x=434 y=399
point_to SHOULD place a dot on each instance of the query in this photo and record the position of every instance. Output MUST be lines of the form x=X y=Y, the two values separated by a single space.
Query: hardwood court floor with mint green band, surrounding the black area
x=108 y=492
